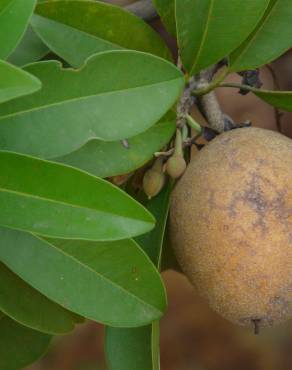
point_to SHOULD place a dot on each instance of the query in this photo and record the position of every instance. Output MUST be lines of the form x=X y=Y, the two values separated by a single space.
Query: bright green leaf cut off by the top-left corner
x=14 y=18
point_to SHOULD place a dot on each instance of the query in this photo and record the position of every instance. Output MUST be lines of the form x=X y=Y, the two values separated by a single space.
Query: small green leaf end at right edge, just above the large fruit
x=279 y=99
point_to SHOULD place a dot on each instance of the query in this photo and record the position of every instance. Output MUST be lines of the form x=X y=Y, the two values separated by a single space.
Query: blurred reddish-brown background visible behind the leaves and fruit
x=193 y=337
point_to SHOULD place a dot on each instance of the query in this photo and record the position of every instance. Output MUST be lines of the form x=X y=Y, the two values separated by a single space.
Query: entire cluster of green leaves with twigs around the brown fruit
x=89 y=94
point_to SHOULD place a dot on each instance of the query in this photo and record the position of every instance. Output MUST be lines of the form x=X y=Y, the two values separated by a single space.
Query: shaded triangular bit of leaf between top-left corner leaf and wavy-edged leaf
x=30 y=49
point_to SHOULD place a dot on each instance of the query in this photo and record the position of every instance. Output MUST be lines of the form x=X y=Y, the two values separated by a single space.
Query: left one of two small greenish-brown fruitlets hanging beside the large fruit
x=154 y=179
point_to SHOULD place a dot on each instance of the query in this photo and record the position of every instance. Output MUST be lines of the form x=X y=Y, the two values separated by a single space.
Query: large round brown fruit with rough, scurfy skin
x=231 y=225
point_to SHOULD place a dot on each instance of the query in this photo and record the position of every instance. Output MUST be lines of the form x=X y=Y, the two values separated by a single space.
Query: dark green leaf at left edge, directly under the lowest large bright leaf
x=28 y=307
